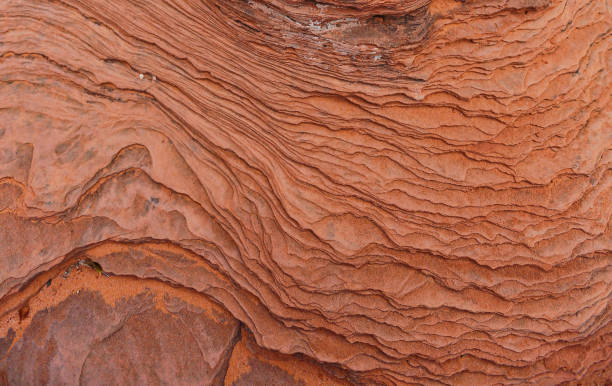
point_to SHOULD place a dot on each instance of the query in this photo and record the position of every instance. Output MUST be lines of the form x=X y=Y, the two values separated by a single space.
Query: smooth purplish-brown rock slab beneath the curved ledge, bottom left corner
x=143 y=338
